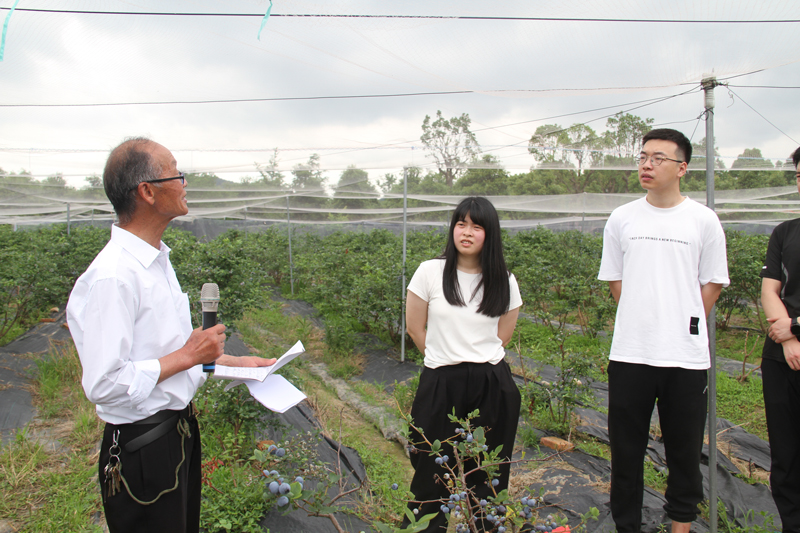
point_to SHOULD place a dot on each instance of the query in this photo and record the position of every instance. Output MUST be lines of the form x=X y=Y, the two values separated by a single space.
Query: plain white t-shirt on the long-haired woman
x=458 y=334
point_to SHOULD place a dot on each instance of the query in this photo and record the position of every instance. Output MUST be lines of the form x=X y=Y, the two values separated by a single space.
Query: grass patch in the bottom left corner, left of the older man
x=43 y=489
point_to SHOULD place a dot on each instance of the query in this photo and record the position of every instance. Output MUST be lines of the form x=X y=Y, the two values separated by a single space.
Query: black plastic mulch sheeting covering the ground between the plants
x=571 y=490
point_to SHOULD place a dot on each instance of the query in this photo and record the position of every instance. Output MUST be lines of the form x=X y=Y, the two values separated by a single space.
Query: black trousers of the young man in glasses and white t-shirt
x=681 y=396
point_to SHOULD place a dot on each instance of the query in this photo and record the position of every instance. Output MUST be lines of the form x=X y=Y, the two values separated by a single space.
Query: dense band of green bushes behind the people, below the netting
x=352 y=278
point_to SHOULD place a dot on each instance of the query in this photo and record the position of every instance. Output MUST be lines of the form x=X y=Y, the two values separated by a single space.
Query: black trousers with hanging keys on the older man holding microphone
x=150 y=470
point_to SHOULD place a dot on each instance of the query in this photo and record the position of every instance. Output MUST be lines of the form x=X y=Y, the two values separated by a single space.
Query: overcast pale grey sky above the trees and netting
x=521 y=72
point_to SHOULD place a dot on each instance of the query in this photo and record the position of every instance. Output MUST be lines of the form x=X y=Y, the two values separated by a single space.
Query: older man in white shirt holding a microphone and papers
x=141 y=359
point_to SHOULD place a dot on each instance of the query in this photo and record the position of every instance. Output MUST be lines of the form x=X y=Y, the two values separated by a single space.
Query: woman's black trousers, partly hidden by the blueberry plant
x=463 y=387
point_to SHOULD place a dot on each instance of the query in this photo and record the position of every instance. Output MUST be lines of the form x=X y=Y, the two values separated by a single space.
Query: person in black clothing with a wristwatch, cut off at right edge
x=780 y=362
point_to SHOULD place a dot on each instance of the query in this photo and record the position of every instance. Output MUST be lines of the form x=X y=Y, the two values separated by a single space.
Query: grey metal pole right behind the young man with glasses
x=708 y=88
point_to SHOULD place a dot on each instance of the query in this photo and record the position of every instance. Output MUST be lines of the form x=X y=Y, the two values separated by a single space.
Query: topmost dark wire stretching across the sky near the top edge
x=406 y=17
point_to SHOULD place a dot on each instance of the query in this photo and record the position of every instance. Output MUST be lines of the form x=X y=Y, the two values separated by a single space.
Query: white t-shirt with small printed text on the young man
x=663 y=256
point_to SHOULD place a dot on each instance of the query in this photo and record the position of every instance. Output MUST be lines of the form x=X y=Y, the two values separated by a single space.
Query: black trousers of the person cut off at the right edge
x=781 y=387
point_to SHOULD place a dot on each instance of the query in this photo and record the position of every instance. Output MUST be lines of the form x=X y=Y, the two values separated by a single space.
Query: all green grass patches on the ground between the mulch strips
x=45 y=490
